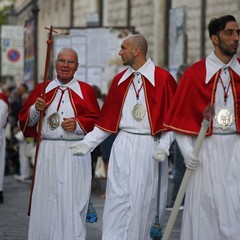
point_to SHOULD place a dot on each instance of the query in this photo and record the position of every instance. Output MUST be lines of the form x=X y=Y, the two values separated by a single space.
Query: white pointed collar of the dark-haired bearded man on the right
x=213 y=64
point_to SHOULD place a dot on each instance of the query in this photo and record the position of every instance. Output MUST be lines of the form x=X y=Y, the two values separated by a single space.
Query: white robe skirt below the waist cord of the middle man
x=131 y=194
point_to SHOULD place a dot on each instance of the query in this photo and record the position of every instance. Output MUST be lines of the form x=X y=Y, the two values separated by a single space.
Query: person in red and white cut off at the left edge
x=3 y=121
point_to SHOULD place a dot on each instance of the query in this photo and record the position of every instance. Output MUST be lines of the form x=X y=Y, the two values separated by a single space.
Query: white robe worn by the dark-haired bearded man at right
x=212 y=202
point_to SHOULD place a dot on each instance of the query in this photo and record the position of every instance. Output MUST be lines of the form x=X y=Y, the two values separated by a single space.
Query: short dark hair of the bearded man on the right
x=218 y=24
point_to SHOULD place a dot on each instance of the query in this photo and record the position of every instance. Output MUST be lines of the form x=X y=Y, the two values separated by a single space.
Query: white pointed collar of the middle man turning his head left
x=147 y=70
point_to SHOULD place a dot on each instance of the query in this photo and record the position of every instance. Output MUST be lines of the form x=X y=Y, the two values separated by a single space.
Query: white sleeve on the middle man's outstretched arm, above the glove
x=95 y=137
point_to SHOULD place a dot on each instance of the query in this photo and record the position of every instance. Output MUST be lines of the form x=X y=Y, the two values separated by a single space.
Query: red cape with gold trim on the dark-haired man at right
x=193 y=96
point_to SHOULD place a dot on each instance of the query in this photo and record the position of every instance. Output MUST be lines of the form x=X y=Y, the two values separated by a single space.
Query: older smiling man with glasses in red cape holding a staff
x=62 y=186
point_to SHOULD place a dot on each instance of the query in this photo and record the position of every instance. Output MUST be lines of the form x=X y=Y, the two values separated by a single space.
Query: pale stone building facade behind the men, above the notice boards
x=148 y=17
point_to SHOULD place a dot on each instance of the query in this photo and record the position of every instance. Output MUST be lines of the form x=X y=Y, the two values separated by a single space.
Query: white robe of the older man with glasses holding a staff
x=62 y=183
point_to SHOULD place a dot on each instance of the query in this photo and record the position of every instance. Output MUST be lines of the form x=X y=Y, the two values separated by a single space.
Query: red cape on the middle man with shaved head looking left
x=158 y=100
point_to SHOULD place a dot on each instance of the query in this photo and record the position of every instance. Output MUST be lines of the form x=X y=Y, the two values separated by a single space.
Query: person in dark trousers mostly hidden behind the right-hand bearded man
x=178 y=161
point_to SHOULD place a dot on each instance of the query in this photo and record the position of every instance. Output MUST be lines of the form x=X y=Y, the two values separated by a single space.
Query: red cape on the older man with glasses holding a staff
x=86 y=110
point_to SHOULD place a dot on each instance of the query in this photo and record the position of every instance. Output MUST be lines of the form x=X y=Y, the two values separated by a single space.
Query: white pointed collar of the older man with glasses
x=73 y=85
